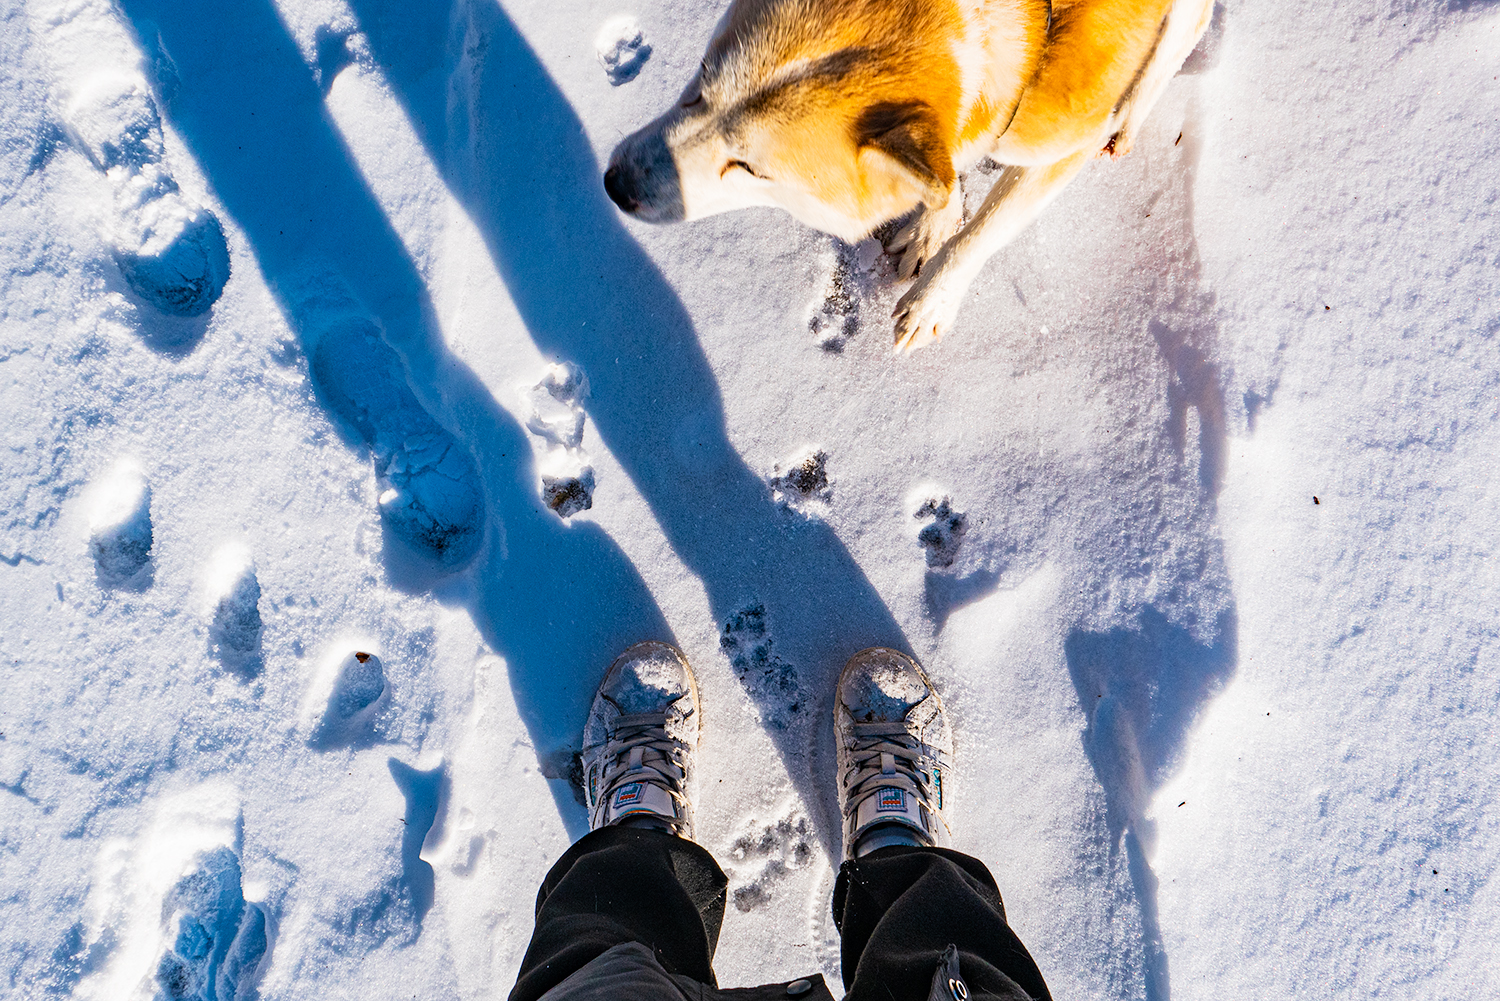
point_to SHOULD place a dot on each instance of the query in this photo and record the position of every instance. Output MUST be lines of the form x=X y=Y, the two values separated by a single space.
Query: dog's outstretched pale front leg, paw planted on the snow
x=929 y=307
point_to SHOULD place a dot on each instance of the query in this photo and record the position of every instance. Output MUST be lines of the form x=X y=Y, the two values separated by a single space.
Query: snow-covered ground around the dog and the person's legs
x=1214 y=738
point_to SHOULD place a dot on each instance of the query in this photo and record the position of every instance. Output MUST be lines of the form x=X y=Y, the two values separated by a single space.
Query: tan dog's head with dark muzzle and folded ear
x=839 y=112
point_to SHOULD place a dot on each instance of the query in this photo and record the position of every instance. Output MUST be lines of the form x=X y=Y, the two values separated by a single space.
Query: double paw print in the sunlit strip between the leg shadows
x=559 y=419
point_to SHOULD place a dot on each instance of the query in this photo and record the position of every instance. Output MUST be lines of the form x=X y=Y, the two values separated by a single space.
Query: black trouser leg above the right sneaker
x=899 y=909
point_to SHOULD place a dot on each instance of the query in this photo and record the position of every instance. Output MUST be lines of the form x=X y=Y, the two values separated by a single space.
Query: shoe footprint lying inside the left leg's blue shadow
x=430 y=494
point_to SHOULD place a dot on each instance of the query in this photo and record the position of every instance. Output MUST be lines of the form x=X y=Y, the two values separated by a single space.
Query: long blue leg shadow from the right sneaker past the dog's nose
x=515 y=155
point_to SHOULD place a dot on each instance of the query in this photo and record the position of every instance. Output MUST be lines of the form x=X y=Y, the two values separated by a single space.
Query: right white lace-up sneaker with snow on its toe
x=895 y=753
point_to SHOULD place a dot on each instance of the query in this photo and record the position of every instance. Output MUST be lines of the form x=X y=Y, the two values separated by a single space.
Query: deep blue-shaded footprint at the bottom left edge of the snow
x=217 y=939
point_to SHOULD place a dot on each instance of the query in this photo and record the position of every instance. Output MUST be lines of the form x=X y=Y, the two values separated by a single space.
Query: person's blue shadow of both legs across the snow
x=556 y=601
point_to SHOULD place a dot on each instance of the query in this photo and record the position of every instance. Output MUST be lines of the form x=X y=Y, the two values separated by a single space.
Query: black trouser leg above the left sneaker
x=622 y=885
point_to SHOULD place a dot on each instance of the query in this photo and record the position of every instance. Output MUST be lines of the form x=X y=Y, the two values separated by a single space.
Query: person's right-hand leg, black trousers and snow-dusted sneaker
x=904 y=898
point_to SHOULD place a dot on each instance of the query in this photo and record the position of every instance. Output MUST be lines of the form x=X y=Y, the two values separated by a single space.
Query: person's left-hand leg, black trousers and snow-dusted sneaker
x=637 y=877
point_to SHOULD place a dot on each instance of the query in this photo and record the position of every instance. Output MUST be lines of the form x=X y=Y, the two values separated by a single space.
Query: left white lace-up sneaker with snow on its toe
x=641 y=741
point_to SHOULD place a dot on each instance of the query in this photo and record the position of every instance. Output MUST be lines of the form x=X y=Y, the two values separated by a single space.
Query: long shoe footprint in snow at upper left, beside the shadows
x=170 y=250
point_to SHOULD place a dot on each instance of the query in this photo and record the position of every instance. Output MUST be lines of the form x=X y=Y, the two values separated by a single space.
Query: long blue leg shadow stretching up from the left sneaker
x=557 y=601
